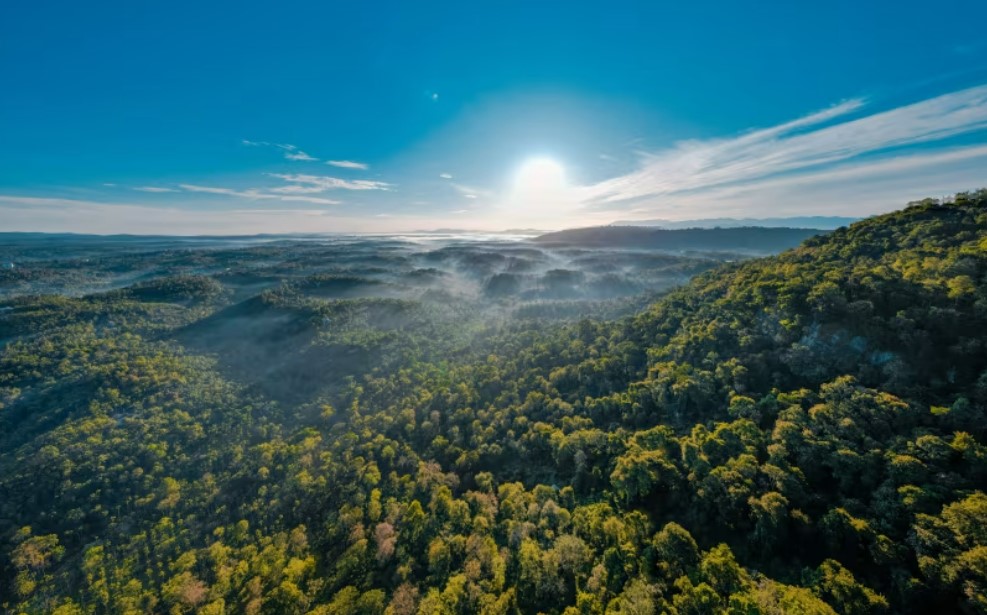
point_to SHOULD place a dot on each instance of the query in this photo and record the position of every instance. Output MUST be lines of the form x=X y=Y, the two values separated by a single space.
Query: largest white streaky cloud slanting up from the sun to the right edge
x=809 y=145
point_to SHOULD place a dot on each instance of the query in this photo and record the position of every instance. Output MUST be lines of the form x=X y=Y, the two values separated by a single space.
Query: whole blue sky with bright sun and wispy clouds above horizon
x=258 y=117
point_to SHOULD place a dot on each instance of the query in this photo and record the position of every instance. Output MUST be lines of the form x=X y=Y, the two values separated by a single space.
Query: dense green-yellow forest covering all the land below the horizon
x=371 y=429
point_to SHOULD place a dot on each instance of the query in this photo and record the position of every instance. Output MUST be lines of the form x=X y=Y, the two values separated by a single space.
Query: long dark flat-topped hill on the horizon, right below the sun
x=756 y=239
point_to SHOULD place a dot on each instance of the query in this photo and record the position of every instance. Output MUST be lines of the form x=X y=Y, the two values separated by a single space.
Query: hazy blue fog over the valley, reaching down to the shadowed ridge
x=295 y=317
